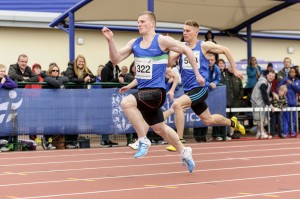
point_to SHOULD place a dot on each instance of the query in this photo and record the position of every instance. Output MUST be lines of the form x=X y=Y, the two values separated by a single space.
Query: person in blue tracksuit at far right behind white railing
x=293 y=87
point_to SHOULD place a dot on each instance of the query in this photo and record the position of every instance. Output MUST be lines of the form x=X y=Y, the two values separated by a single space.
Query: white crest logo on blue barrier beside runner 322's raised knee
x=119 y=118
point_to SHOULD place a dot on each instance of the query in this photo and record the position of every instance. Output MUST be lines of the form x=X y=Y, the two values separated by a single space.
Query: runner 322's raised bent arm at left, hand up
x=116 y=56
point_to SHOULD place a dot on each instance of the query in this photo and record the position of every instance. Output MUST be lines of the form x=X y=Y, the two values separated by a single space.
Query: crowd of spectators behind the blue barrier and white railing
x=264 y=88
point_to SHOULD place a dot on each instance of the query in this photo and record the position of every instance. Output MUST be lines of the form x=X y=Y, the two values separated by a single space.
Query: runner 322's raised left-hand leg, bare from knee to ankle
x=129 y=106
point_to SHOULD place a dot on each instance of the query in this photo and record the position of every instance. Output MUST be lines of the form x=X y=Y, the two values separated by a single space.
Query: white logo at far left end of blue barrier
x=12 y=107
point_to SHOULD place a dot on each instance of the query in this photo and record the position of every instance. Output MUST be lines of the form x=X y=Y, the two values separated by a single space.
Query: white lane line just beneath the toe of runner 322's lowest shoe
x=147 y=174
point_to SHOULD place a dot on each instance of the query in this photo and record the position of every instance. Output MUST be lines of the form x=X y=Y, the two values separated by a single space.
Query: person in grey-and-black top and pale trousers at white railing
x=260 y=99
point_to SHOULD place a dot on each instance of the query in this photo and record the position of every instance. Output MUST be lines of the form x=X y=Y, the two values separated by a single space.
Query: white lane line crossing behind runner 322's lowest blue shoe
x=247 y=158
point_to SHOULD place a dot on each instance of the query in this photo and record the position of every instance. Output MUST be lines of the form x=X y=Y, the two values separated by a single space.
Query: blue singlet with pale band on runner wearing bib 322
x=150 y=64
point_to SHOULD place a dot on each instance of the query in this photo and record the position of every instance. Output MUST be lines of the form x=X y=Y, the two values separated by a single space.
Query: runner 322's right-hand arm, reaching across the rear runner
x=168 y=43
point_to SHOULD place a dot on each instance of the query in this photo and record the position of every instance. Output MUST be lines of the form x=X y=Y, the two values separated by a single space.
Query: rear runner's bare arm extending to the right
x=210 y=47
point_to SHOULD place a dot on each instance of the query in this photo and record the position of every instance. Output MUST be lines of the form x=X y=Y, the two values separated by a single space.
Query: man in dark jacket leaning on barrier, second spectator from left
x=20 y=72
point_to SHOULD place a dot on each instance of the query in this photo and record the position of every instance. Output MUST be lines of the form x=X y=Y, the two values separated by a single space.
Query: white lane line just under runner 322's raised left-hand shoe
x=149 y=156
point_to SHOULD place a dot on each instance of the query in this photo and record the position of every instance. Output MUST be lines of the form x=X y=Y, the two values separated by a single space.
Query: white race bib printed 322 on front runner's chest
x=143 y=68
